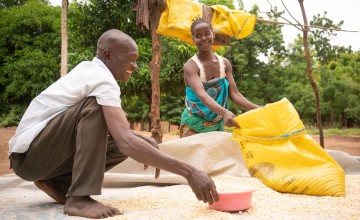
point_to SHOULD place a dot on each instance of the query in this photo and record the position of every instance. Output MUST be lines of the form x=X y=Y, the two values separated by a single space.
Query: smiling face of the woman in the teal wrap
x=203 y=36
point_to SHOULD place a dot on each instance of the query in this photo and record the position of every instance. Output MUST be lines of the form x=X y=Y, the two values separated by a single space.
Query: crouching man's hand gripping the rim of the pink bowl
x=203 y=187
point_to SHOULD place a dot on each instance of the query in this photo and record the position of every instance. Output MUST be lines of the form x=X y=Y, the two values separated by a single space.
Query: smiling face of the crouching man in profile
x=122 y=62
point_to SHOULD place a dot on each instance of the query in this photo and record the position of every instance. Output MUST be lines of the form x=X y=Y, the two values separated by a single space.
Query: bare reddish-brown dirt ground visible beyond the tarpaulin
x=348 y=144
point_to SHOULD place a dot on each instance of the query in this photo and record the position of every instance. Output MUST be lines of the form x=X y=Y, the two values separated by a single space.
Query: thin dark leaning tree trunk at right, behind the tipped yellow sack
x=309 y=70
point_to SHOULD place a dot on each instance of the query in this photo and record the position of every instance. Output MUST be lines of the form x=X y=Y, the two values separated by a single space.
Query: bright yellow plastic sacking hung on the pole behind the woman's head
x=176 y=19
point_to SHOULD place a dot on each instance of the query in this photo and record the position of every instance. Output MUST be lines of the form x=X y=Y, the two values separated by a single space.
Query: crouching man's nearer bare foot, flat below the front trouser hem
x=85 y=206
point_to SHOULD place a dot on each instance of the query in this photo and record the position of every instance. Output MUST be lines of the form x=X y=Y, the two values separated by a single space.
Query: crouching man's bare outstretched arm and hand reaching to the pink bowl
x=142 y=151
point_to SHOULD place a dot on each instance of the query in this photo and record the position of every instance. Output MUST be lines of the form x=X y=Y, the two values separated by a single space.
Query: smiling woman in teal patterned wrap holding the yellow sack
x=209 y=84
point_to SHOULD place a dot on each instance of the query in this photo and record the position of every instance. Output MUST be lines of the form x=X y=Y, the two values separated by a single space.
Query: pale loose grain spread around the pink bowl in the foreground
x=178 y=202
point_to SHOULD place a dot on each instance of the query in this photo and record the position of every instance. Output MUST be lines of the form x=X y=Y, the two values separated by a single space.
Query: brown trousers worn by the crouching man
x=72 y=152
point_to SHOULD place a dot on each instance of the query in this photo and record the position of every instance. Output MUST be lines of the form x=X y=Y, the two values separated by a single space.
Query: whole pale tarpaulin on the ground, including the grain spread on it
x=141 y=196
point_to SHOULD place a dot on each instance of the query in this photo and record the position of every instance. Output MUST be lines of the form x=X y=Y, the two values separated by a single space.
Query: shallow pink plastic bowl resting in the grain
x=232 y=202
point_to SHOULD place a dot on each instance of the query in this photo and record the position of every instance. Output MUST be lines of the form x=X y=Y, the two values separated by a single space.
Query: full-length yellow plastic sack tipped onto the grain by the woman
x=278 y=151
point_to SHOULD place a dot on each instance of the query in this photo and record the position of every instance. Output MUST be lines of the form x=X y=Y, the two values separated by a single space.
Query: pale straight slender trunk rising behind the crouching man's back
x=64 y=40
